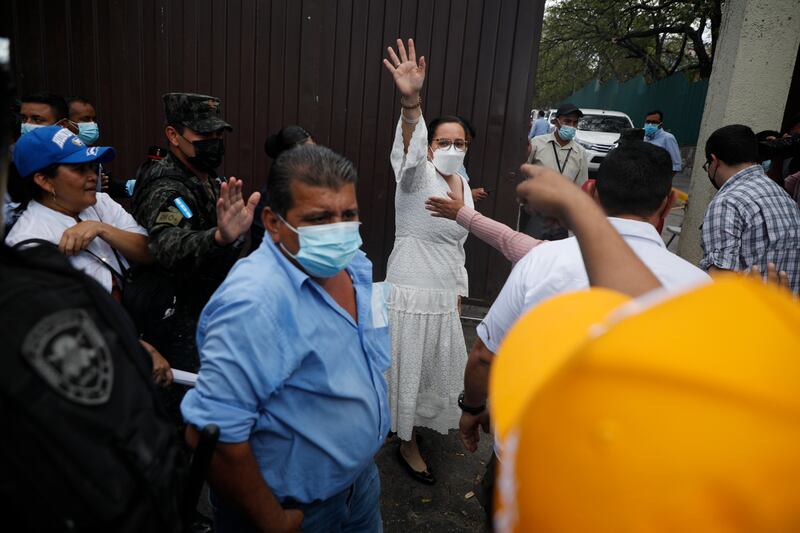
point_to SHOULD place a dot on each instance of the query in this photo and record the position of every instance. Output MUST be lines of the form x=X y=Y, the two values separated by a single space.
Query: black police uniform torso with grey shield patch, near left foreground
x=84 y=445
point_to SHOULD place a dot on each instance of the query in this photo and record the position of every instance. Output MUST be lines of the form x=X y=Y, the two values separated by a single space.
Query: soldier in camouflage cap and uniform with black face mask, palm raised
x=195 y=219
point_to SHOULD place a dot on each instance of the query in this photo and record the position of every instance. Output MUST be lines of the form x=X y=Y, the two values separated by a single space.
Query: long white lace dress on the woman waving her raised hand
x=427 y=275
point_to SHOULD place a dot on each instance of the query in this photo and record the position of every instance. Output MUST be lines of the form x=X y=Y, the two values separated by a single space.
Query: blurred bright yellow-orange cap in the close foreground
x=664 y=414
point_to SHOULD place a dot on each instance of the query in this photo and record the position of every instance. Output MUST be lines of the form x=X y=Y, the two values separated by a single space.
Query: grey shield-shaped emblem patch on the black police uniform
x=70 y=354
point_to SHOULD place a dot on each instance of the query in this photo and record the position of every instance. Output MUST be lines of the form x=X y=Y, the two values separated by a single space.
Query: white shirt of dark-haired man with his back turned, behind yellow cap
x=557 y=267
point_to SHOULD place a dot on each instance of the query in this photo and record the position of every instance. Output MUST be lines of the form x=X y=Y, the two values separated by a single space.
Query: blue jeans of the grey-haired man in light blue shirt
x=354 y=510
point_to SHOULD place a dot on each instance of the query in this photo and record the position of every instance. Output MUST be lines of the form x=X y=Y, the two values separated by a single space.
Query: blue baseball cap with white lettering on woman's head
x=51 y=145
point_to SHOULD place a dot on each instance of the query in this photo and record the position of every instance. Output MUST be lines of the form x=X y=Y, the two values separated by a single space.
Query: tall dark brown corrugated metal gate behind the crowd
x=312 y=62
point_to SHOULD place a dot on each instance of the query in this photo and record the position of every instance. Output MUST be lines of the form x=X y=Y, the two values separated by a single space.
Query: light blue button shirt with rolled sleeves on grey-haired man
x=286 y=368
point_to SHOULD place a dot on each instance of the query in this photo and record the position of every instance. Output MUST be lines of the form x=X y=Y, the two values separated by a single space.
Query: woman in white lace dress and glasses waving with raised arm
x=426 y=268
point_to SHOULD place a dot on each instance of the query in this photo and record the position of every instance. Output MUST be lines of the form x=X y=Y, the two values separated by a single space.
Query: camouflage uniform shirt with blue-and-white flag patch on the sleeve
x=179 y=211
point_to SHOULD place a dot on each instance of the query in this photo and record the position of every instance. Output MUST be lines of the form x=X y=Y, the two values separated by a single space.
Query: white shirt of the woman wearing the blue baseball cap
x=40 y=222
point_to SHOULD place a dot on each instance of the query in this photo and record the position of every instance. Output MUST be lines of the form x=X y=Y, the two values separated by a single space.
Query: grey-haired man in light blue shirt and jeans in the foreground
x=293 y=349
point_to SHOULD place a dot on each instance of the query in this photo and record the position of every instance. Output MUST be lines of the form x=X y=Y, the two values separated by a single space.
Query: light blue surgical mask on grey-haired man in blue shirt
x=326 y=250
